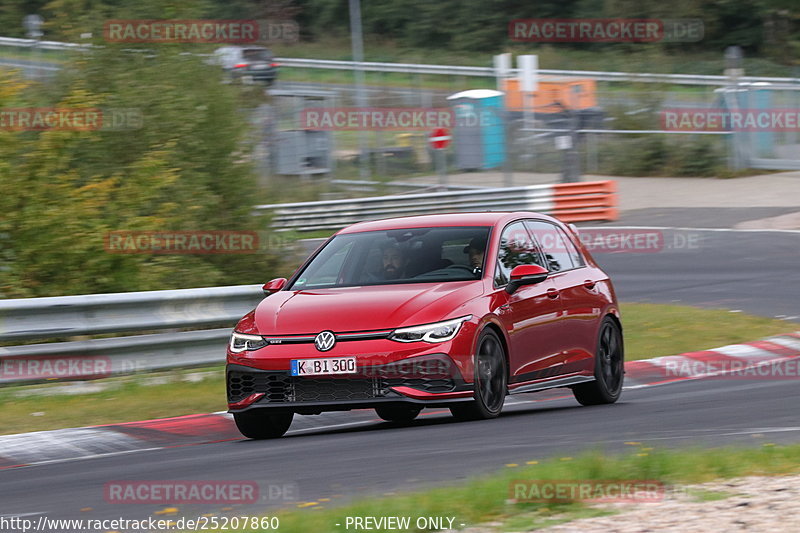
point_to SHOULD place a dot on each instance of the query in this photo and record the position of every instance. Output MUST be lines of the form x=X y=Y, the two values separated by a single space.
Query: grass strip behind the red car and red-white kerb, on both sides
x=651 y=330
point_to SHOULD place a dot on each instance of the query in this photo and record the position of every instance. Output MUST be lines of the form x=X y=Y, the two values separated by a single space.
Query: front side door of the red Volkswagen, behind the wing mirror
x=531 y=316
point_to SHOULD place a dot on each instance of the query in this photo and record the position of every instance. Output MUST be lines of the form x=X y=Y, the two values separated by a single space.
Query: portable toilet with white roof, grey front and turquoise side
x=479 y=128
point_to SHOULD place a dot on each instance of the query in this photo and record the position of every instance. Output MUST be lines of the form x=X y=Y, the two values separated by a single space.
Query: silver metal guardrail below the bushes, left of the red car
x=69 y=316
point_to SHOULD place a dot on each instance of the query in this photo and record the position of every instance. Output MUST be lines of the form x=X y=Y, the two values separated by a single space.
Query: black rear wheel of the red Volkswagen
x=609 y=368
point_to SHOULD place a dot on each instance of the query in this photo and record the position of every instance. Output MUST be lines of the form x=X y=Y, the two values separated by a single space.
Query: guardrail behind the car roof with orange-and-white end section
x=571 y=202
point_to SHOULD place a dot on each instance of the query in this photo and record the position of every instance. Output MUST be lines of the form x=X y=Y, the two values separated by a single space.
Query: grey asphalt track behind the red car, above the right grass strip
x=752 y=271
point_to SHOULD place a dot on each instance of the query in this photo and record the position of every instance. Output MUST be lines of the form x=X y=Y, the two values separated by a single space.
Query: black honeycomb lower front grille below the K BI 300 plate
x=279 y=387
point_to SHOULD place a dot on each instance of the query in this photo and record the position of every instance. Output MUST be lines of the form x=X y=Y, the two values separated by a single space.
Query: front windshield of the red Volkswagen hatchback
x=411 y=255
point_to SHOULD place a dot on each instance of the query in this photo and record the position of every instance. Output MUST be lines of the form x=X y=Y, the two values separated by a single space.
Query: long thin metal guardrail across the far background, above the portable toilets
x=456 y=70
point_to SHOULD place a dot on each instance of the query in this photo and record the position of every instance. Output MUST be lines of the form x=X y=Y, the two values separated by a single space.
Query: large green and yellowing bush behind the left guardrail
x=186 y=168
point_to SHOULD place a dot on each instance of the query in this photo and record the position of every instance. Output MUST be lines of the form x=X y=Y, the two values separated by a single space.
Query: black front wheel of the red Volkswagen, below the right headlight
x=491 y=381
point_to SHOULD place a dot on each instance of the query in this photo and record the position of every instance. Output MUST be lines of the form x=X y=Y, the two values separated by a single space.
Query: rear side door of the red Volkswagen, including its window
x=575 y=283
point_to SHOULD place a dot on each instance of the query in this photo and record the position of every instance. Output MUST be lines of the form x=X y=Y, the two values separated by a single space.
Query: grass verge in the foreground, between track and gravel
x=486 y=500
